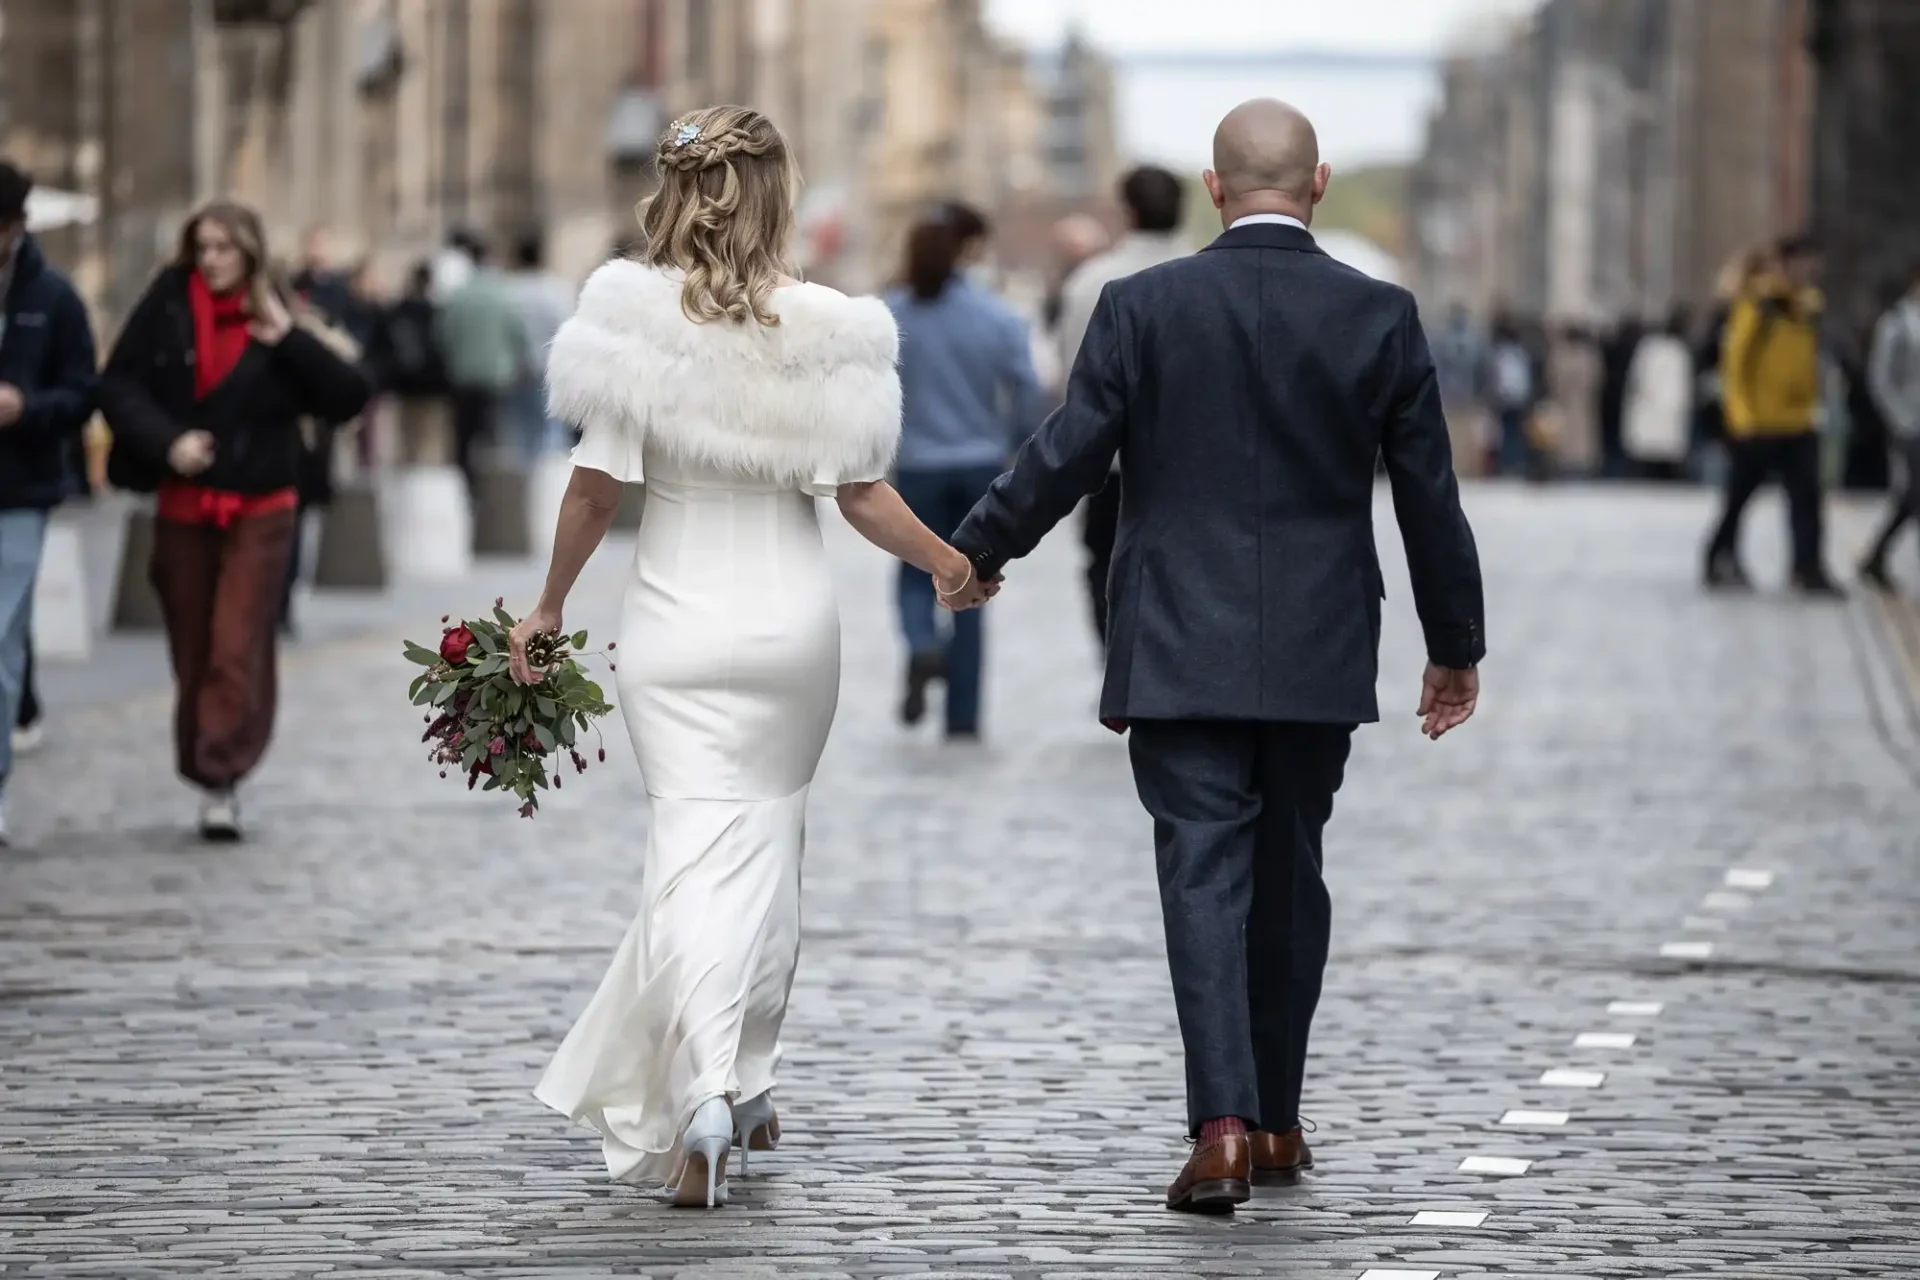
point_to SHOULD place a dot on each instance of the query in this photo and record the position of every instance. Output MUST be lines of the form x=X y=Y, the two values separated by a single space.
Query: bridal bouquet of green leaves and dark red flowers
x=487 y=724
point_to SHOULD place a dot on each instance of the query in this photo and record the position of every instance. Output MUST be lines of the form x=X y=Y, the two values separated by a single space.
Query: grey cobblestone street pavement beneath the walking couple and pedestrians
x=314 y=1055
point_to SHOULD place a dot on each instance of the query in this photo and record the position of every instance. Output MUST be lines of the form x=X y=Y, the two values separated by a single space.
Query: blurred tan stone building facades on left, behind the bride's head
x=398 y=122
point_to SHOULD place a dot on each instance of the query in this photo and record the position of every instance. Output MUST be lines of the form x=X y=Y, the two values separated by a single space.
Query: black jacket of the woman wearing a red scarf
x=147 y=394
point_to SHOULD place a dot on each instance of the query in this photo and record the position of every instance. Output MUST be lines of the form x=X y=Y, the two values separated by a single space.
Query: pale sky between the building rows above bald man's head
x=1364 y=116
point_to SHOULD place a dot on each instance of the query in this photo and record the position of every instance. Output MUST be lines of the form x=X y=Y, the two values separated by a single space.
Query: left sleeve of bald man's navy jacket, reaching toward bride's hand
x=1065 y=462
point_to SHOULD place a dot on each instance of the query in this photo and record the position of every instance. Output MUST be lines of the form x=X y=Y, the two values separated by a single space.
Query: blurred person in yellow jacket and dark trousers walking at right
x=1771 y=392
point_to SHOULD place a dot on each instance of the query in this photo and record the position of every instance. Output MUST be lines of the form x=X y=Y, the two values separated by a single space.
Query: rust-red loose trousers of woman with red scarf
x=220 y=592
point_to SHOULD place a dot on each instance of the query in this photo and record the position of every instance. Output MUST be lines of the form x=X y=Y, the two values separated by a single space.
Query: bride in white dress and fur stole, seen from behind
x=738 y=396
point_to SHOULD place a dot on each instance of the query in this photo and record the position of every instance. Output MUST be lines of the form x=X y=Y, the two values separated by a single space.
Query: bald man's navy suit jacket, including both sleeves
x=1249 y=392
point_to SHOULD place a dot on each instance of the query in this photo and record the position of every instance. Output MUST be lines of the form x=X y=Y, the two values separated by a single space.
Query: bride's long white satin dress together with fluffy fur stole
x=729 y=676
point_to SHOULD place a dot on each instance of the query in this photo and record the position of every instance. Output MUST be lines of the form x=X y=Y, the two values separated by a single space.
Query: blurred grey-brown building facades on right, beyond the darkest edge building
x=1614 y=154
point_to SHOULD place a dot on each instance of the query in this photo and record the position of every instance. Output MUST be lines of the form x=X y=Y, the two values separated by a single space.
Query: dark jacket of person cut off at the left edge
x=49 y=354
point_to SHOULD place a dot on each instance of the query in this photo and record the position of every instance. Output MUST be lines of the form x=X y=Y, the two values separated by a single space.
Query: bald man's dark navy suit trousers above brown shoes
x=1239 y=811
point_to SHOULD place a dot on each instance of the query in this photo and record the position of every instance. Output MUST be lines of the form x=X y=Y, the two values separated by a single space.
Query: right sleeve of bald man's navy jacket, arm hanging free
x=1441 y=552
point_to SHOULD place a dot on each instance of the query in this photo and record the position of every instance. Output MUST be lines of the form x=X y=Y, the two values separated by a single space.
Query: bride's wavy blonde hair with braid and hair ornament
x=725 y=214
